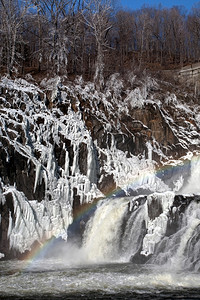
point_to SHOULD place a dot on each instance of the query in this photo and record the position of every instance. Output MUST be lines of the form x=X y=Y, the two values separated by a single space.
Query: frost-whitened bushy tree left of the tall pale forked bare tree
x=56 y=14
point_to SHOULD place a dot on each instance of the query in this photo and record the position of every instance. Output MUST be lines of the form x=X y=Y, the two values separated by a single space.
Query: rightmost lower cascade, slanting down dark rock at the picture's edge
x=182 y=249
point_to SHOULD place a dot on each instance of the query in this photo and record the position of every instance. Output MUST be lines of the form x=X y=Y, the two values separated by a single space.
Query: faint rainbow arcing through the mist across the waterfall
x=41 y=249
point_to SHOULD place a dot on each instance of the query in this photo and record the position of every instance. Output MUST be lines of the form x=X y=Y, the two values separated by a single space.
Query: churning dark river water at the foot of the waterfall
x=56 y=279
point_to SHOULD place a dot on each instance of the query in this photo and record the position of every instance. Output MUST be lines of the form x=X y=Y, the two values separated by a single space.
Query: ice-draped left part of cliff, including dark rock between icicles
x=42 y=153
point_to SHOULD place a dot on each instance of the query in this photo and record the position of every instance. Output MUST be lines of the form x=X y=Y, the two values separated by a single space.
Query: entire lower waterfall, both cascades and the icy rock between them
x=161 y=229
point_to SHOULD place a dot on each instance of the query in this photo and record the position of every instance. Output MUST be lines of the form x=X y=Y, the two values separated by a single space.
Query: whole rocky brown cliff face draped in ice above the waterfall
x=64 y=144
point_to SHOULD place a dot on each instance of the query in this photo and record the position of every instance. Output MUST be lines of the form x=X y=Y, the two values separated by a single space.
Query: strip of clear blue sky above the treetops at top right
x=137 y=4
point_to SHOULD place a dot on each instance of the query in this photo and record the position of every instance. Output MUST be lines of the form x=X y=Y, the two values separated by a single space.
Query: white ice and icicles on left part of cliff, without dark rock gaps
x=33 y=220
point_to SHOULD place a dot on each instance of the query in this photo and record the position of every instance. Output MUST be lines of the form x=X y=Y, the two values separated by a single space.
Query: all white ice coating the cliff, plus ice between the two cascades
x=51 y=140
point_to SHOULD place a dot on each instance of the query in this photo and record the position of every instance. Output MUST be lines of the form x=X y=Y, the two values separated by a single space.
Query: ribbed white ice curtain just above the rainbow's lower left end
x=32 y=220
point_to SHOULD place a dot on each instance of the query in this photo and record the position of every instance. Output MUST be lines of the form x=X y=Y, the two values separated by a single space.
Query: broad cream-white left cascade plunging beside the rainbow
x=102 y=236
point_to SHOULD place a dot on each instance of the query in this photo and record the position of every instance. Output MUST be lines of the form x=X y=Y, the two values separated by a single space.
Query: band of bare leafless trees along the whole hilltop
x=90 y=38
